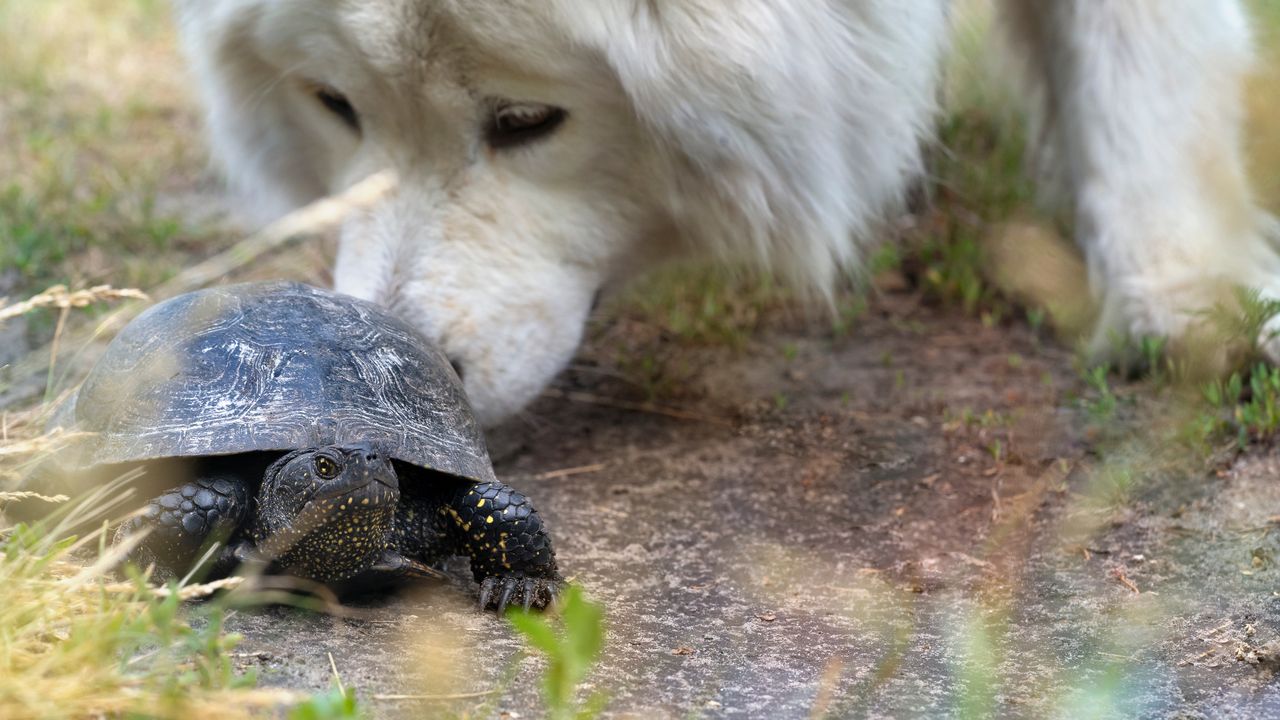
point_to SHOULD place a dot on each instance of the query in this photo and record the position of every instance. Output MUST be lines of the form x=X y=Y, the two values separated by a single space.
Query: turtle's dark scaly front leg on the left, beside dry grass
x=184 y=522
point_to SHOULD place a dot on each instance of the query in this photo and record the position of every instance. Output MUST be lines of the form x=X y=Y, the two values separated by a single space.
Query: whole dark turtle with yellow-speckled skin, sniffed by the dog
x=307 y=430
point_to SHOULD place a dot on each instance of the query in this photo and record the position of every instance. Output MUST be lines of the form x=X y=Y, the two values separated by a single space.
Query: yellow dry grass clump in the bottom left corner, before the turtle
x=77 y=644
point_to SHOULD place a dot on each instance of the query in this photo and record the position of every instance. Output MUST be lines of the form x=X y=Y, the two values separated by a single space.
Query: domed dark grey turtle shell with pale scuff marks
x=264 y=367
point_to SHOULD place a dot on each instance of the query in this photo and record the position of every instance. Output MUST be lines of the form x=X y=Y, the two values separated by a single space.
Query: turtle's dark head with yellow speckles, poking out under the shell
x=326 y=513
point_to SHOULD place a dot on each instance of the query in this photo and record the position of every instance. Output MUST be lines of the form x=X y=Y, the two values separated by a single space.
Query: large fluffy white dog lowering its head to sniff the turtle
x=548 y=148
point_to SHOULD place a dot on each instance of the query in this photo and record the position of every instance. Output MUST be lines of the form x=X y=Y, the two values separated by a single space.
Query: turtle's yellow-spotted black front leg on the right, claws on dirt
x=510 y=549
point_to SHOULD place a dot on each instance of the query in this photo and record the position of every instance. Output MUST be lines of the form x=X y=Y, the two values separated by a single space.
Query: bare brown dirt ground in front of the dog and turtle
x=906 y=521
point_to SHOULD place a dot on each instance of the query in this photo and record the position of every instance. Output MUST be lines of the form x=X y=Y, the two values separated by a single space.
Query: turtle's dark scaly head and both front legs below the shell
x=354 y=528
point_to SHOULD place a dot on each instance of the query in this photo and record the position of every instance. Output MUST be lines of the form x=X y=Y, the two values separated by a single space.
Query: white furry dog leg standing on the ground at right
x=1145 y=102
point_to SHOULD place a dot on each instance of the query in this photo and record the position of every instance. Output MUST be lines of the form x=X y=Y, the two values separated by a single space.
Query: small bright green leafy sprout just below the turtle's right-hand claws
x=572 y=651
